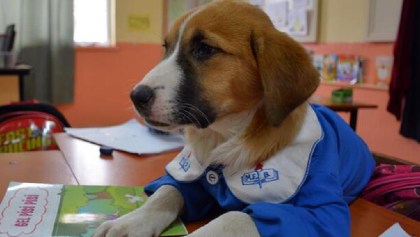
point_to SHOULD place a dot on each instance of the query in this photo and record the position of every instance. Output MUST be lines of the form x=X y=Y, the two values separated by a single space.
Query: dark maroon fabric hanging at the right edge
x=404 y=88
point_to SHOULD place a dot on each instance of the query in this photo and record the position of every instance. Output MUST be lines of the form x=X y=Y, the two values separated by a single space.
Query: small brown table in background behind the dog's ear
x=351 y=107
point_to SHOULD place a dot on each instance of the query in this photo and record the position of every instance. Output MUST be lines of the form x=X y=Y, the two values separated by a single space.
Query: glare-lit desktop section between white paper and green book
x=89 y=167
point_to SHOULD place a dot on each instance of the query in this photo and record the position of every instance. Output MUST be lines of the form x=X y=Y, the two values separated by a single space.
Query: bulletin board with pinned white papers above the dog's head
x=297 y=18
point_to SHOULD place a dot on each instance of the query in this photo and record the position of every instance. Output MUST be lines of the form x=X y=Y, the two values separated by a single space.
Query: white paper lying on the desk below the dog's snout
x=131 y=137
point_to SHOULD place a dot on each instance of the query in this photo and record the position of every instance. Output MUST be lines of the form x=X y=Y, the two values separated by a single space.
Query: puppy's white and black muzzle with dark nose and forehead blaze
x=174 y=98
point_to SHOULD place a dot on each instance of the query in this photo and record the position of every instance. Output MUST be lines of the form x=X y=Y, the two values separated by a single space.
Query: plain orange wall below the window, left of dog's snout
x=103 y=82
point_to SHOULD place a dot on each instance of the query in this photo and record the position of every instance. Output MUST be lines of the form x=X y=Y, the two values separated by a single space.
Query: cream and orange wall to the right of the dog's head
x=342 y=28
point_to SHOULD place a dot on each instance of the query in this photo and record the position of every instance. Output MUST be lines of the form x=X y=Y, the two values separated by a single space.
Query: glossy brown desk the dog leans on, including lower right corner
x=122 y=168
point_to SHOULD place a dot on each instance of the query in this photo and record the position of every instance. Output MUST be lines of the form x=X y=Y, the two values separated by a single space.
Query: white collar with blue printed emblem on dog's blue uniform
x=276 y=180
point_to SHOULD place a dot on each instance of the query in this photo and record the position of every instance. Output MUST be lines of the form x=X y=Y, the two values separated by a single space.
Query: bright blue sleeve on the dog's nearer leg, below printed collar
x=318 y=210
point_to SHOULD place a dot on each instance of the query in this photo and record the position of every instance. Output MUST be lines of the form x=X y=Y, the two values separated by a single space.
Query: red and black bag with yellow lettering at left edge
x=29 y=127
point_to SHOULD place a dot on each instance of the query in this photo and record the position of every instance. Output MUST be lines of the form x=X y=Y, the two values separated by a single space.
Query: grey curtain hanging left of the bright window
x=44 y=40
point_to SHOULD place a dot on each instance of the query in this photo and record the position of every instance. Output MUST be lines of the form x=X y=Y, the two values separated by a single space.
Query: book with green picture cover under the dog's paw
x=30 y=209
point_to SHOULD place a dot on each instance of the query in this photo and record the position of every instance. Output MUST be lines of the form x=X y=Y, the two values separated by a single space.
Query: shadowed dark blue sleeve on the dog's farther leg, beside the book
x=198 y=203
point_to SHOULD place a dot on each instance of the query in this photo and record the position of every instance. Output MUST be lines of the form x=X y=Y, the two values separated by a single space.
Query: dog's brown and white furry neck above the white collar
x=235 y=141
